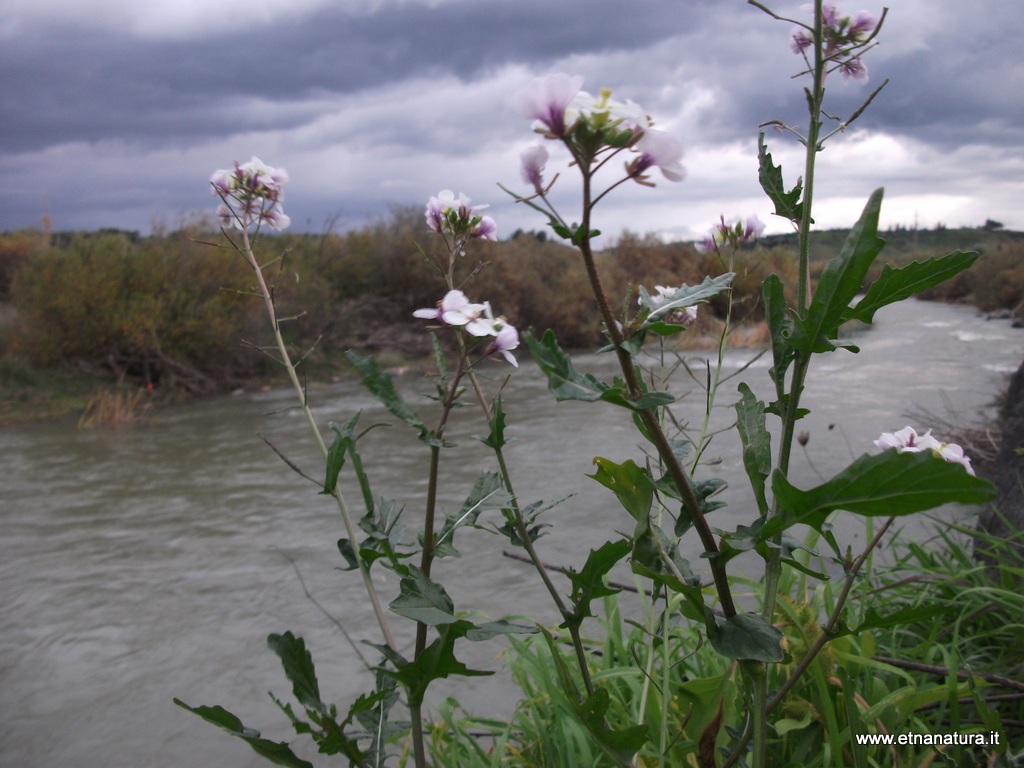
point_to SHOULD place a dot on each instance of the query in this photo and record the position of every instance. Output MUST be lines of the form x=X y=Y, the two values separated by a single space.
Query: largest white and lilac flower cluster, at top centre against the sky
x=592 y=124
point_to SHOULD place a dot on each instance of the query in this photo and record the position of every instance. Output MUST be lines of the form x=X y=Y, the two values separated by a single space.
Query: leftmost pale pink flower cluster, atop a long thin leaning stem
x=250 y=195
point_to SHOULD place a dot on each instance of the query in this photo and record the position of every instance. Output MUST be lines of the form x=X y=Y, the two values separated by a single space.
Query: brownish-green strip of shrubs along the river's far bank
x=110 y=312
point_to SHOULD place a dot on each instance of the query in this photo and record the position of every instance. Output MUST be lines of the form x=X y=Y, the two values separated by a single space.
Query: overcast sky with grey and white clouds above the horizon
x=116 y=112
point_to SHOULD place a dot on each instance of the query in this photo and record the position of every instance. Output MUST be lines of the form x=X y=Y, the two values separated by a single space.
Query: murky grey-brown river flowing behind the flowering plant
x=151 y=562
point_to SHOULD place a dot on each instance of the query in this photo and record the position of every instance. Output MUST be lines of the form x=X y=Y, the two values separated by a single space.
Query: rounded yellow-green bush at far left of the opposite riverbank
x=166 y=309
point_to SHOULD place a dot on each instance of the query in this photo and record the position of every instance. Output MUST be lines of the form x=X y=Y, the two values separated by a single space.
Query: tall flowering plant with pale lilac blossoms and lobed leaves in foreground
x=609 y=144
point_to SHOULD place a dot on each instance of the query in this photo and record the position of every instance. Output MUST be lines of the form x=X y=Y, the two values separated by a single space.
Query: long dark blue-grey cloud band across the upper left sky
x=65 y=86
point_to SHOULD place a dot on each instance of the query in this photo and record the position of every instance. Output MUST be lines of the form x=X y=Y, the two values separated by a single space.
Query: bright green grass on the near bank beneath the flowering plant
x=958 y=671
